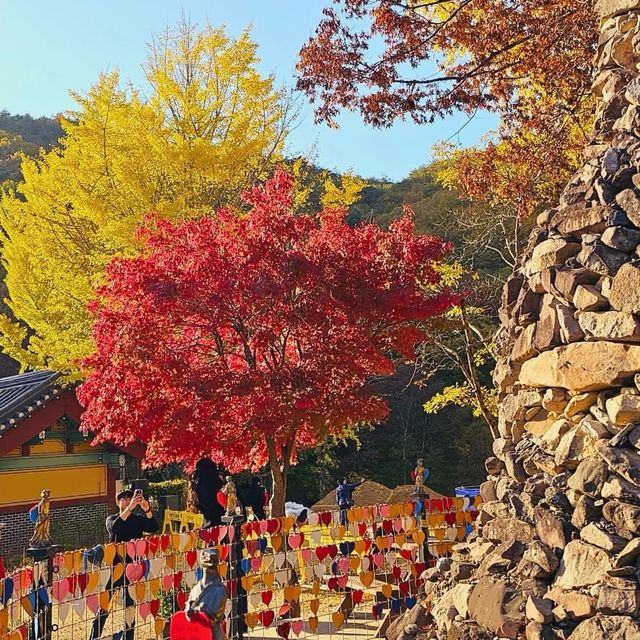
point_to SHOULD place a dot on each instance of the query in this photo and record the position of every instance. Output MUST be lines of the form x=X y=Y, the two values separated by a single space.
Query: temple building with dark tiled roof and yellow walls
x=41 y=447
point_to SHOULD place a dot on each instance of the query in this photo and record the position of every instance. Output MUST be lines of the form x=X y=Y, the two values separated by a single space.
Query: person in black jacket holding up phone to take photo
x=123 y=527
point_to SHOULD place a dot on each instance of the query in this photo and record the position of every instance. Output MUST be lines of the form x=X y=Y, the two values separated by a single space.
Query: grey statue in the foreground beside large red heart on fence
x=209 y=595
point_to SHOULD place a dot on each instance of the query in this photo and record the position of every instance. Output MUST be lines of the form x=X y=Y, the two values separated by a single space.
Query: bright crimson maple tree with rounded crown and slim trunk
x=245 y=338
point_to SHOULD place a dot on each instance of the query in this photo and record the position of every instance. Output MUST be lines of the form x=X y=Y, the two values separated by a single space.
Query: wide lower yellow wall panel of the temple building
x=65 y=483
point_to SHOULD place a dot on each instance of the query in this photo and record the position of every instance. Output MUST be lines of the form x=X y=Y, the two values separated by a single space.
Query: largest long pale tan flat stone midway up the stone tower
x=582 y=366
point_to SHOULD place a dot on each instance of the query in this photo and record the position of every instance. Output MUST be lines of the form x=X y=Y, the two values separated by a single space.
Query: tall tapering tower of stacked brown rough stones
x=558 y=548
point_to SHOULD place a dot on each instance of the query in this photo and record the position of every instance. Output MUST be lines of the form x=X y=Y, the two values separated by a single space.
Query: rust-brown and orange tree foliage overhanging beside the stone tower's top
x=527 y=60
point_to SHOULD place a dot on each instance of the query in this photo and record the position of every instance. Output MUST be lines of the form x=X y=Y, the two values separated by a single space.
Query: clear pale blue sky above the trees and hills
x=48 y=48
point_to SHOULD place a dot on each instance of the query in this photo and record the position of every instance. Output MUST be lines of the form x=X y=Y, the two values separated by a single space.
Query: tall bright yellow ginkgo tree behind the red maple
x=207 y=126
